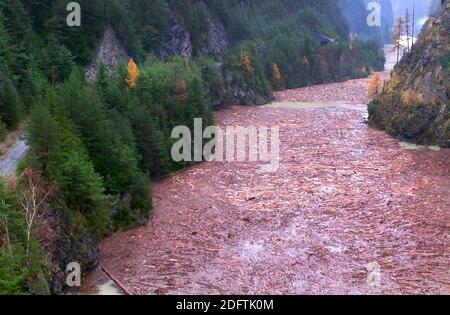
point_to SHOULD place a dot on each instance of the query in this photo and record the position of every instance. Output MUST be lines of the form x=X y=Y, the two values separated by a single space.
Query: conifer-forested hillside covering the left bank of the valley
x=94 y=146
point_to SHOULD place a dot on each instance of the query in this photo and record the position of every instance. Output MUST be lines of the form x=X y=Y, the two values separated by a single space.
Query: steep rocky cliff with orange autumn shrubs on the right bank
x=415 y=105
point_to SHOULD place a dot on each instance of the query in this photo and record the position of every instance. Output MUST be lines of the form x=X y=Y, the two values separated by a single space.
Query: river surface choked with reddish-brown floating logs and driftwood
x=345 y=198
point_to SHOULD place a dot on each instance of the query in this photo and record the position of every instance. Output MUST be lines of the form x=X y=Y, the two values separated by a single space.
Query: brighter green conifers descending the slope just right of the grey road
x=58 y=152
